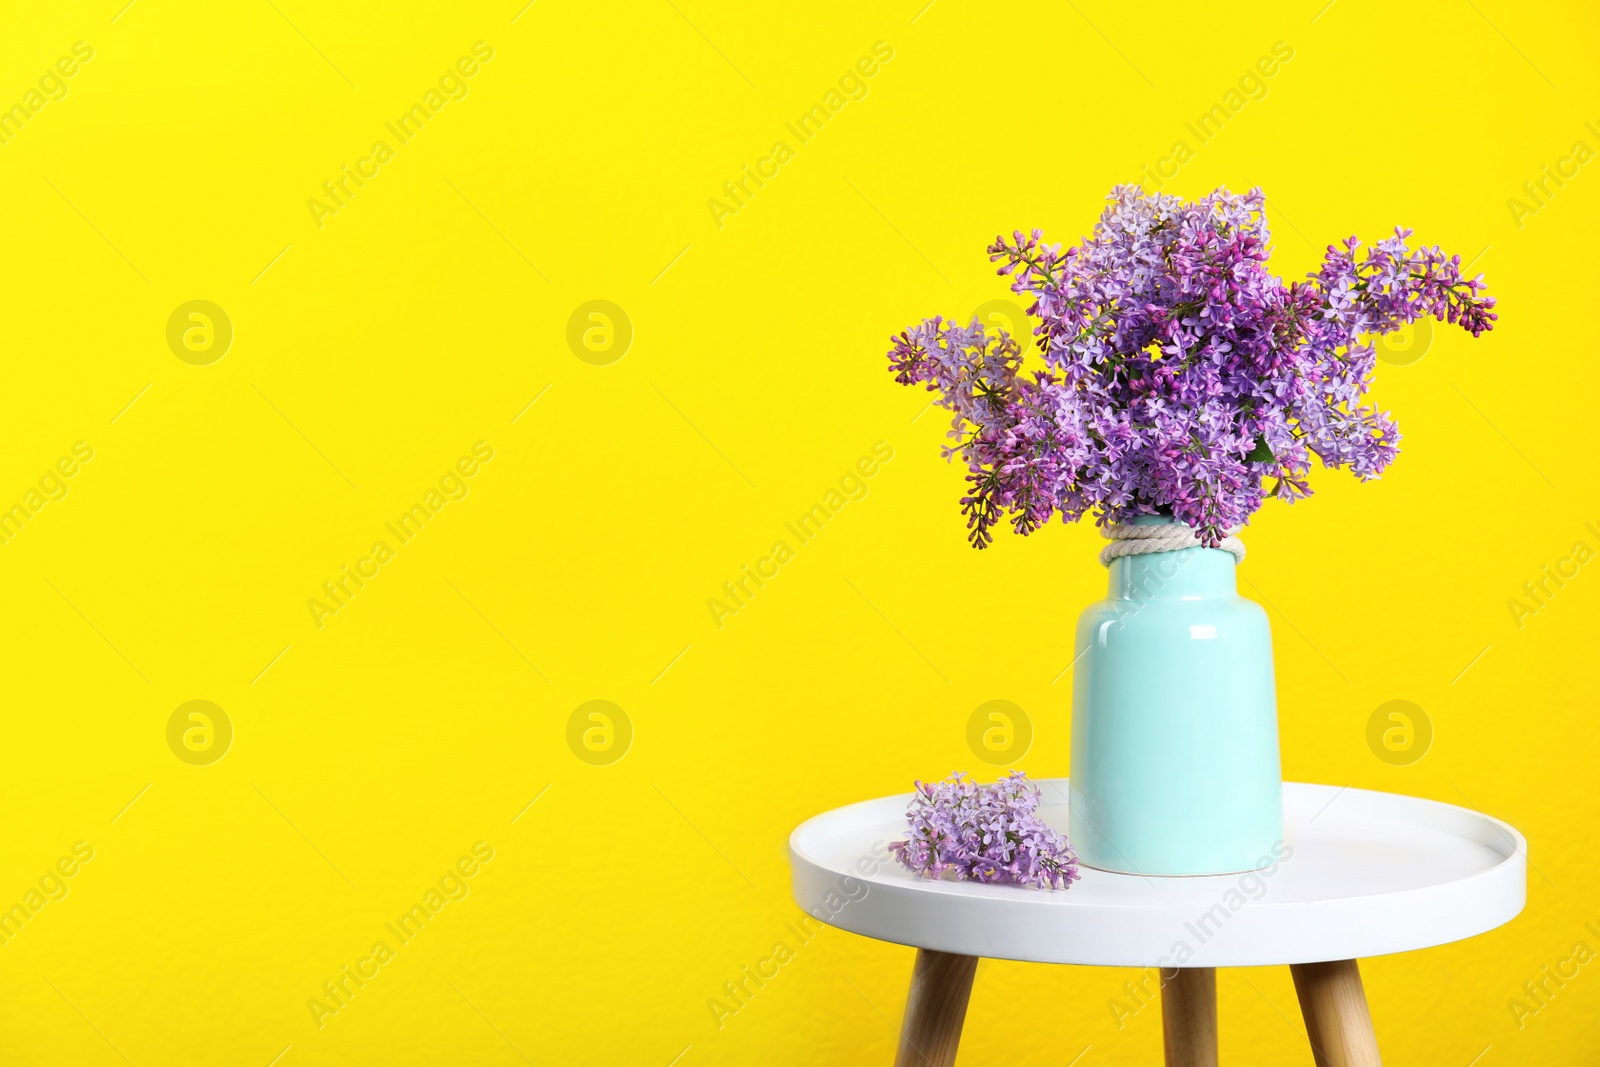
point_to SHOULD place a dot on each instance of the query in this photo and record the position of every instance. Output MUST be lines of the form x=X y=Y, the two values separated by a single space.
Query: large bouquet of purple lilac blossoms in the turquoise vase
x=1180 y=377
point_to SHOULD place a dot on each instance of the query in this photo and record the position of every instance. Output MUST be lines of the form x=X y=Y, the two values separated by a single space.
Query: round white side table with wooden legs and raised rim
x=1359 y=874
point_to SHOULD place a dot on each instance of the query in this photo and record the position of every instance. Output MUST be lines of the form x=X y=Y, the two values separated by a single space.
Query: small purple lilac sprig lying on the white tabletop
x=985 y=834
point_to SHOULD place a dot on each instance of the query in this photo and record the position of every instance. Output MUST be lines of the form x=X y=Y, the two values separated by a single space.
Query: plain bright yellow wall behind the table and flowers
x=374 y=748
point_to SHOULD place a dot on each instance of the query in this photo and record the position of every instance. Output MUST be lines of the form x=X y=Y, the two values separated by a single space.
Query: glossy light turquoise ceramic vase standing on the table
x=1175 y=729
